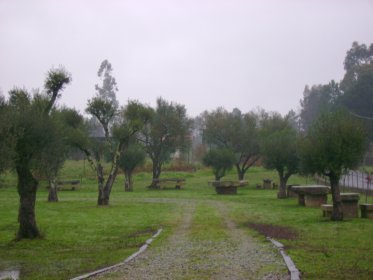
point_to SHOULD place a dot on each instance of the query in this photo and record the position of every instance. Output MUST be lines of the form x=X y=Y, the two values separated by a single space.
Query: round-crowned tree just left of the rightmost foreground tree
x=279 y=148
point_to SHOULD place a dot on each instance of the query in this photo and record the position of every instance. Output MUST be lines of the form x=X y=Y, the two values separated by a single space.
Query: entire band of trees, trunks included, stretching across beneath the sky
x=36 y=134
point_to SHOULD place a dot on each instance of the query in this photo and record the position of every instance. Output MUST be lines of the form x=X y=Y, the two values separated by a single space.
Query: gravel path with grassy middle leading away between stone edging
x=183 y=257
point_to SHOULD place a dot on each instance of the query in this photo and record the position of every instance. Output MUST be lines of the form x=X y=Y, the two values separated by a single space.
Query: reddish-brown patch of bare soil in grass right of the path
x=273 y=231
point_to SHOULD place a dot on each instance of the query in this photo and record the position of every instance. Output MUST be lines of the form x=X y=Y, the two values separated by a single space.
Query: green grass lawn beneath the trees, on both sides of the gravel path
x=81 y=237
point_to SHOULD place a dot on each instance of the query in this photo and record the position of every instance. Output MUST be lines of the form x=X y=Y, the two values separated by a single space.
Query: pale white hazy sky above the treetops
x=200 y=53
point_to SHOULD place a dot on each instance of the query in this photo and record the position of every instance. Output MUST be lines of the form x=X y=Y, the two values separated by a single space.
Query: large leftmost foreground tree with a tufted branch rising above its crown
x=34 y=133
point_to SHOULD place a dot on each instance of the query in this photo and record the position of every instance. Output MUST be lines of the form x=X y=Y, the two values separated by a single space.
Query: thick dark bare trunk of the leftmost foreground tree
x=27 y=187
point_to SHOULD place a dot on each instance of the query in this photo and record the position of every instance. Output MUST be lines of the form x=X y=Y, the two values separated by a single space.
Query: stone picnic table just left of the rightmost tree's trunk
x=311 y=195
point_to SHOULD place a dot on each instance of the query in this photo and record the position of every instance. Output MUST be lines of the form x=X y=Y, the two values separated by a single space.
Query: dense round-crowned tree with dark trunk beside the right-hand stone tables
x=334 y=143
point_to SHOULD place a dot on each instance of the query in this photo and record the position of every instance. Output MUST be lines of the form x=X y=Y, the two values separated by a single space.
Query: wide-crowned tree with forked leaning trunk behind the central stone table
x=235 y=131
